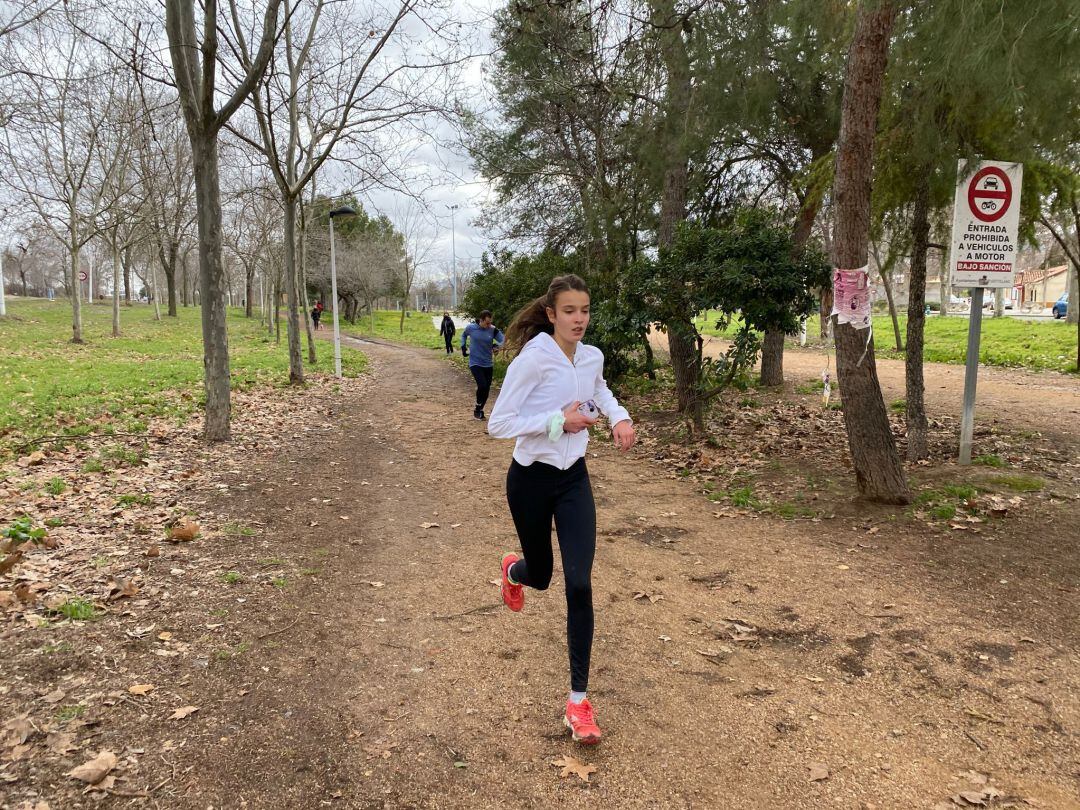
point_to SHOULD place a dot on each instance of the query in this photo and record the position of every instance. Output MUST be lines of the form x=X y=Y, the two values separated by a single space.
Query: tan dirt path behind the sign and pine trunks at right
x=1043 y=401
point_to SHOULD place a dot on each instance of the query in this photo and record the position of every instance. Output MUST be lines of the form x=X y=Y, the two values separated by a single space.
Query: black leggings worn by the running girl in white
x=537 y=494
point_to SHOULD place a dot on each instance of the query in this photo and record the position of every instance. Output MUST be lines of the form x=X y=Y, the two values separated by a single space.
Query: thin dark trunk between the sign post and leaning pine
x=914 y=388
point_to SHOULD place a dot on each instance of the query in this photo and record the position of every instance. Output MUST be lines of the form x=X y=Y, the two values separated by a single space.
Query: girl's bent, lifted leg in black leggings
x=532 y=501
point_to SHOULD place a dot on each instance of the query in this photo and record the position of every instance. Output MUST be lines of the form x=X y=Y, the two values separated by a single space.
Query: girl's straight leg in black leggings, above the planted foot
x=576 y=523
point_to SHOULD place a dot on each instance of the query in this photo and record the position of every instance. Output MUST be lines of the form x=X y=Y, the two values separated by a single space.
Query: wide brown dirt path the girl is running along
x=758 y=650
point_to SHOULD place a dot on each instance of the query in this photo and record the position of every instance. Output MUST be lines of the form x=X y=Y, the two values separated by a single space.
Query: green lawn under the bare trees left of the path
x=155 y=370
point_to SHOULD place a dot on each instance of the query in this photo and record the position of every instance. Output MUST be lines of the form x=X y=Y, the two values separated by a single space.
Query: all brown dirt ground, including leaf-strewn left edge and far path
x=740 y=661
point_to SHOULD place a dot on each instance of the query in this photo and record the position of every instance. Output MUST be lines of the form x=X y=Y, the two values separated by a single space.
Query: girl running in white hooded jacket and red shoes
x=549 y=399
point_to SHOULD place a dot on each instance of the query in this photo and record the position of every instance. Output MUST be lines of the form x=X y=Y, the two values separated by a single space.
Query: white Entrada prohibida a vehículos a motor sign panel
x=985 y=220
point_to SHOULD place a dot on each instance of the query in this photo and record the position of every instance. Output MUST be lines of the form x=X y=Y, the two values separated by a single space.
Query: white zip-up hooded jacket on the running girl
x=541 y=383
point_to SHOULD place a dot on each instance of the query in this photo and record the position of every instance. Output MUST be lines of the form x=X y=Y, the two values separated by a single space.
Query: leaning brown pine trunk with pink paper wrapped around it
x=879 y=470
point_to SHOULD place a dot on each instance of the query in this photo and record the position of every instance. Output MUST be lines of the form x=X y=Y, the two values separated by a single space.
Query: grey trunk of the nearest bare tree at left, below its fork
x=212 y=290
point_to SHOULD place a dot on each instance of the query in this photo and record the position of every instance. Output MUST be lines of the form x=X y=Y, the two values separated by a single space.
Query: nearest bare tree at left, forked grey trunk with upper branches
x=195 y=58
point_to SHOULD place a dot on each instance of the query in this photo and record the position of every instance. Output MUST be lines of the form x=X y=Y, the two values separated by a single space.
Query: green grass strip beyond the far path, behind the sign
x=1006 y=342
